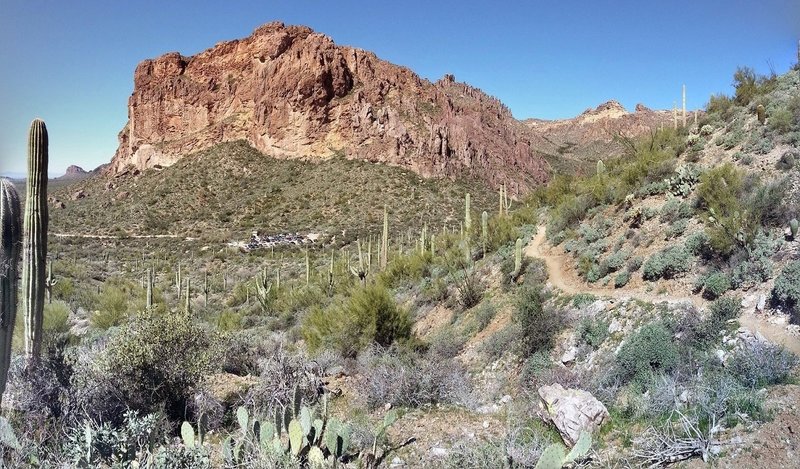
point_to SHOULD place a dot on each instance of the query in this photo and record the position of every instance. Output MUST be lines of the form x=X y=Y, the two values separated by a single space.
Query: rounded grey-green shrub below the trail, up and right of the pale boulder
x=649 y=349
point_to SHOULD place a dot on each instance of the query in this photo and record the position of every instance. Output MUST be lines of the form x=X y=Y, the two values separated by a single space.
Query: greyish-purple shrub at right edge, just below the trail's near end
x=758 y=364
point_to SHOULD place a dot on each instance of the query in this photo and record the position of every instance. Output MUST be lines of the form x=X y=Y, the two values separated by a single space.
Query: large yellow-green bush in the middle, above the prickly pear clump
x=369 y=315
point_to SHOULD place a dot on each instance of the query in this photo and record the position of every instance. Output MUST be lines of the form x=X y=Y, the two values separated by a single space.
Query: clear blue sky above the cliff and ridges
x=72 y=63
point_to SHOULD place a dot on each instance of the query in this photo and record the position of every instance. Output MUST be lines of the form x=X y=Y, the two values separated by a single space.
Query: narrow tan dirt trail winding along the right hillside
x=561 y=278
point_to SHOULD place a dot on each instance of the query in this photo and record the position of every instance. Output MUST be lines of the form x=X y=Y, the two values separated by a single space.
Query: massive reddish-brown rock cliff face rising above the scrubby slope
x=293 y=93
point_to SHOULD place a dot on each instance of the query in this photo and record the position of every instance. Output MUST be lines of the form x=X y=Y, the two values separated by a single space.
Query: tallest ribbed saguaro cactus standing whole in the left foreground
x=34 y=243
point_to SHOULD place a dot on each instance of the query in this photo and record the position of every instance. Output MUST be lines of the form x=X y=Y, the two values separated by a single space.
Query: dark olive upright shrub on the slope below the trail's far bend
x=538 y=325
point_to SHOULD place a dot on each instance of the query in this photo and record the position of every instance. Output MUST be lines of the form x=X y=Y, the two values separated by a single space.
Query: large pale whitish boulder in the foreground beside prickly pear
x=571 y=411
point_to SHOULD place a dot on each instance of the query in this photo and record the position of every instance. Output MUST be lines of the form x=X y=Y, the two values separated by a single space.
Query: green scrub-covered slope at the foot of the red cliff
x=230 y=190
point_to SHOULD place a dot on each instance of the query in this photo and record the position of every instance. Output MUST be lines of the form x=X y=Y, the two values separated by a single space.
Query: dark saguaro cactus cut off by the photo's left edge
x=10 y=244
